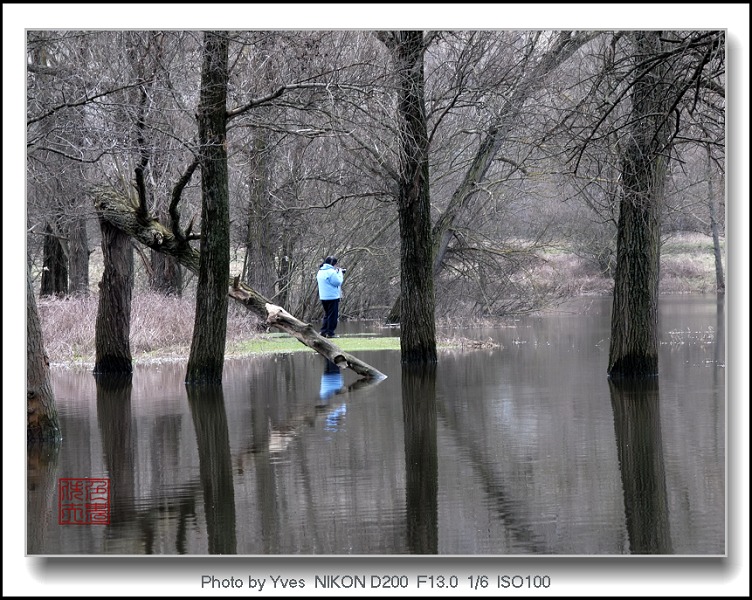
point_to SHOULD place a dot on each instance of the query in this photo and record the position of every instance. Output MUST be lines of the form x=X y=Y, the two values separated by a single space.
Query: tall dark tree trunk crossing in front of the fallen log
x=206 y=359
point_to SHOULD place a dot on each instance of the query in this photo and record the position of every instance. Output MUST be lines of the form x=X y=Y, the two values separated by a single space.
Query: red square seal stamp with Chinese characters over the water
x=83 y=501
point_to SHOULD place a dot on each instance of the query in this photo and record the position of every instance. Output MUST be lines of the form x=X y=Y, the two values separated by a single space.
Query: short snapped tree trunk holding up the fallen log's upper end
x=113 y=326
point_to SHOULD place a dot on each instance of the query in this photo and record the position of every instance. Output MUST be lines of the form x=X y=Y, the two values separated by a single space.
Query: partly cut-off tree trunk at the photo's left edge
x=42 y=424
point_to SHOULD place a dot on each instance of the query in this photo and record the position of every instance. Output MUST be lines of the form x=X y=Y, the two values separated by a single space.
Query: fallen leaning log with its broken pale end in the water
x=124 y=214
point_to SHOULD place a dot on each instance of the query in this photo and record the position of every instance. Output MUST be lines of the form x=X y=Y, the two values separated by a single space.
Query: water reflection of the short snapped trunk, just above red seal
x=116 y=428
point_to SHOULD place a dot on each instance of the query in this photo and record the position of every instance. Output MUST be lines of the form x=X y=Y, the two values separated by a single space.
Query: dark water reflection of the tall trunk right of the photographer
x=421 y=457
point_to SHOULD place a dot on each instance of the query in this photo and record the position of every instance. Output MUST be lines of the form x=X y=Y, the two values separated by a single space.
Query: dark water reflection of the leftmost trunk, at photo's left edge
x=41 y=484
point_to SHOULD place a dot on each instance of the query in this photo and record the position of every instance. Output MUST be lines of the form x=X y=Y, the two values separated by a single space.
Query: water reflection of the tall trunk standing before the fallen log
x=215 y=465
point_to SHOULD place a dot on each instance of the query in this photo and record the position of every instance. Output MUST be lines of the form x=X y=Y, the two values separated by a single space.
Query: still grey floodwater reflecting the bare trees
x=526 y=449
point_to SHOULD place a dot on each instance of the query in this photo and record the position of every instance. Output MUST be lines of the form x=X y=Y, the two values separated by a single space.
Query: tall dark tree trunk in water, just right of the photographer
x=417 y=318
